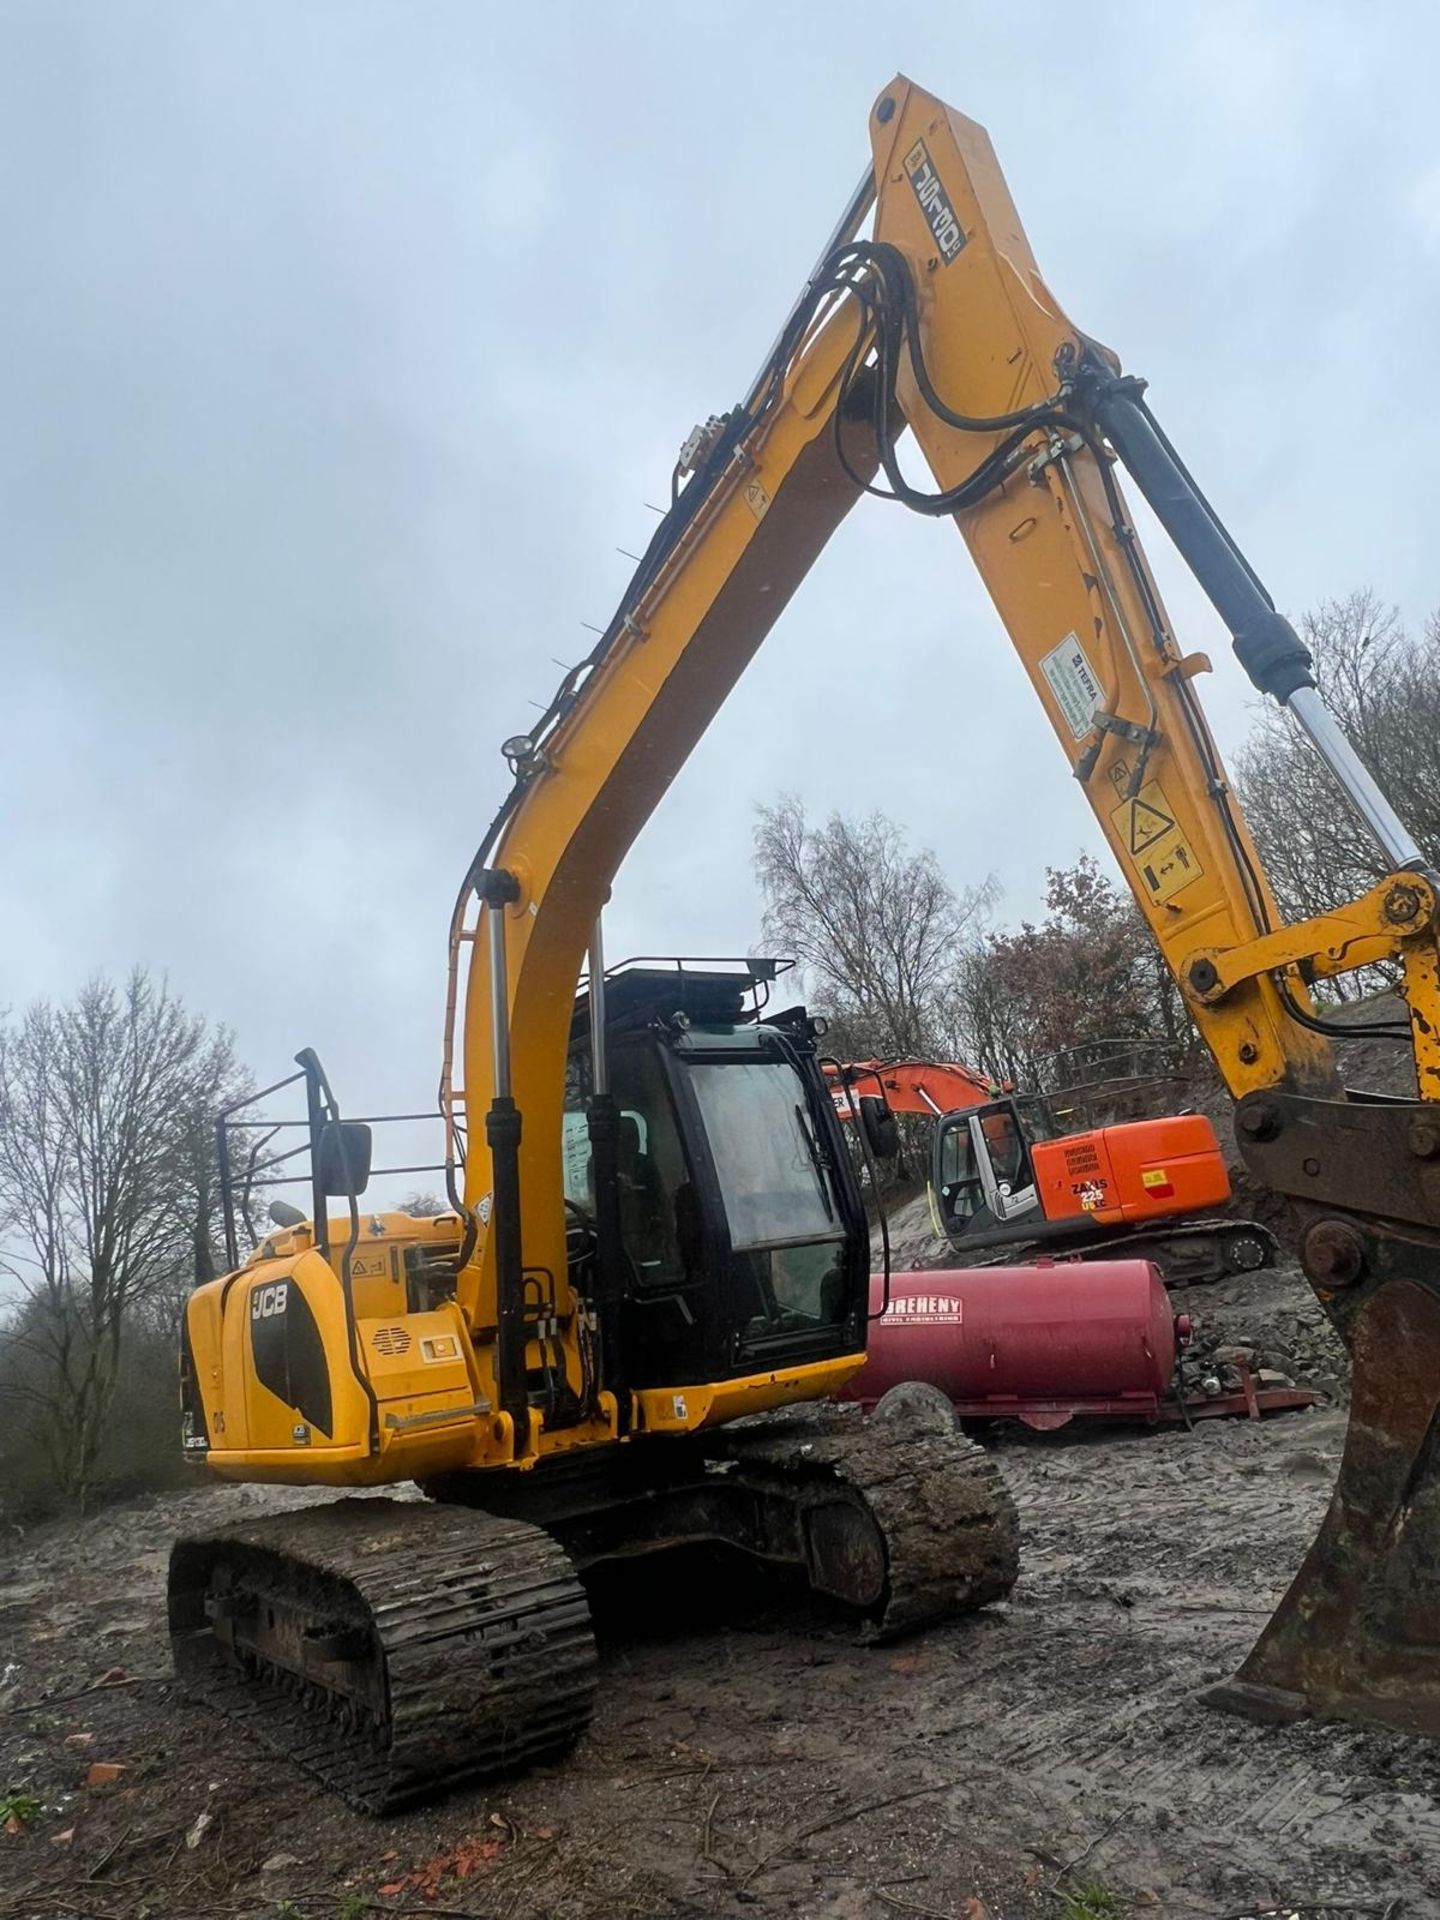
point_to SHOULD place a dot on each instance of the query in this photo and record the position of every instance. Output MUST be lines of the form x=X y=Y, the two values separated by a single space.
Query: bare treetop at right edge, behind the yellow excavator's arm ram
x=1383 y=684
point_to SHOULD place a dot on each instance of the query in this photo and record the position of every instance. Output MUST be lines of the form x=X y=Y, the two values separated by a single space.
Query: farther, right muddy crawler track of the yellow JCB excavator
x=932 y=1499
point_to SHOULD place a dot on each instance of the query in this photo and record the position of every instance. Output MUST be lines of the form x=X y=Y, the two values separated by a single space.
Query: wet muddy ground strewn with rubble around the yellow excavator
x=1042 y=1754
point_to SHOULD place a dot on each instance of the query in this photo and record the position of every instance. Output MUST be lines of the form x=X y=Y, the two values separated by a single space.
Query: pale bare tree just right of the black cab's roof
x=878 y=930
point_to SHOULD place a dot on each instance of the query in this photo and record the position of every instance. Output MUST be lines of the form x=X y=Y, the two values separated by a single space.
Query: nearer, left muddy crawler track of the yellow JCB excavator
x=391 y=1648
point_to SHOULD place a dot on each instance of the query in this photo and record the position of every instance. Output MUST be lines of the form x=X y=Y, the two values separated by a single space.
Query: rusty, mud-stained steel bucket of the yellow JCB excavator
x=1358 y=1633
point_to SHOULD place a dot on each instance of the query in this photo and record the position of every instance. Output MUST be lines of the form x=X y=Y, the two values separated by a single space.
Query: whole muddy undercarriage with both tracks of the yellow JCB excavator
x=398 y=1648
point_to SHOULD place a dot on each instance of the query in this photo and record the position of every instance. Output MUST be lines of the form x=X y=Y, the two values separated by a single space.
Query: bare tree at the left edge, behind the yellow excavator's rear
x=107 y=1191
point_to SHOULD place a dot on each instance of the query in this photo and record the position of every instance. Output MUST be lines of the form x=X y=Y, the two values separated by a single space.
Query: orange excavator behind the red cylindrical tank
x=1007 y=1176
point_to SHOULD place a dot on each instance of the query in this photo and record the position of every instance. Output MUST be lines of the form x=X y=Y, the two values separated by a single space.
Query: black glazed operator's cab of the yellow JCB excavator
x=742 y=1236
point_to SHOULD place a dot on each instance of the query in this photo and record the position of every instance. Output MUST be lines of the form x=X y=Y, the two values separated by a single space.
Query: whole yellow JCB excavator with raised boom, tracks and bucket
x=654 y=1222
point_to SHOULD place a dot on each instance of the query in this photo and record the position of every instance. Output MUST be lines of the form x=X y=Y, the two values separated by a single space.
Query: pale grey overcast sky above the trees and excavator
x=341 y=347
